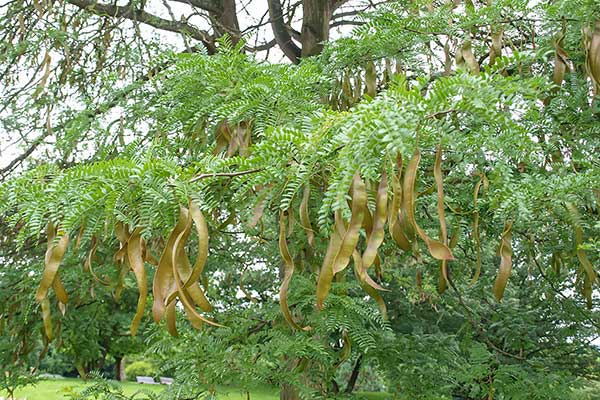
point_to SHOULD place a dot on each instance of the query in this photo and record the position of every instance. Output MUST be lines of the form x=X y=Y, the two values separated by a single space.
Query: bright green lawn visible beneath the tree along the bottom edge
x=55 y=389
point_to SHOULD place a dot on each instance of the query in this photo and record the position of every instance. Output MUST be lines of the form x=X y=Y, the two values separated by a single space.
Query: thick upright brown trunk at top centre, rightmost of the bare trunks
x=315 y=26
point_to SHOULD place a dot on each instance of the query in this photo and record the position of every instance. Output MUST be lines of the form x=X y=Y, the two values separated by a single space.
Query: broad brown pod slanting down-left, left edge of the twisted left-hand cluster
x=163 y=282
